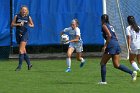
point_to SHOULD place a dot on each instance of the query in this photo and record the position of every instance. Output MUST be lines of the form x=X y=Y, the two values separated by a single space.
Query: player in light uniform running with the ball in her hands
x=75 y=43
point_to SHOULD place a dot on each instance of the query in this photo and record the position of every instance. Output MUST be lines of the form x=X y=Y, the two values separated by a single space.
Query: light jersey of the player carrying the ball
x=73 y=33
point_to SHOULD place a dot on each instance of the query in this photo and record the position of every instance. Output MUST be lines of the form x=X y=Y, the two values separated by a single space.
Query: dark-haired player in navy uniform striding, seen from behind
x=112 y=50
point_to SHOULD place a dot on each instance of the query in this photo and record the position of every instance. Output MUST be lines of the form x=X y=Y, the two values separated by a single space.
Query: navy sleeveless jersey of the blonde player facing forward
x=22 y=29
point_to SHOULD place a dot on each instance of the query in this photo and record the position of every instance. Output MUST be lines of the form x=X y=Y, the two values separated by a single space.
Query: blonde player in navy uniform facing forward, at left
x=21 y=21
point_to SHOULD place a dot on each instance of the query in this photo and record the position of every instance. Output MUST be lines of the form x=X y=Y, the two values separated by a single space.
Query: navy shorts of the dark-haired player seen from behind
x=113 y=50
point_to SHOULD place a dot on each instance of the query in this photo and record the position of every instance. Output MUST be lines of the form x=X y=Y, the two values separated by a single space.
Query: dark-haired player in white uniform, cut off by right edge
x=133 y=40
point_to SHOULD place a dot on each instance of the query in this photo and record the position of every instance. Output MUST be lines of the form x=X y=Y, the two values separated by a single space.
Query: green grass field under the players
x=48 y=76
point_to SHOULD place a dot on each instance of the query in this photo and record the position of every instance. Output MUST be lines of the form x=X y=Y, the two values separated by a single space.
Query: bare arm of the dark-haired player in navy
x=108 y=36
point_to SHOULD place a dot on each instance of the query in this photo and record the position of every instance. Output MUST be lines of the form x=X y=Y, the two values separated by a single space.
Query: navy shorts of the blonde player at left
x=21 y=37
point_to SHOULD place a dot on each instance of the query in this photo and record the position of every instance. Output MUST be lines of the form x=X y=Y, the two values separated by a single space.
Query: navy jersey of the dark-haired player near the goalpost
x=113 y=41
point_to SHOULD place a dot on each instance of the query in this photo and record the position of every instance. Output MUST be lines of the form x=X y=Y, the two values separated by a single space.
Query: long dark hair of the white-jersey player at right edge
x=131 y=21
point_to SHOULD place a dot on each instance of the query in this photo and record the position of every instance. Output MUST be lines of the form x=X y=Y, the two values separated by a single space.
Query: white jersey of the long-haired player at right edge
x=135 y=38
